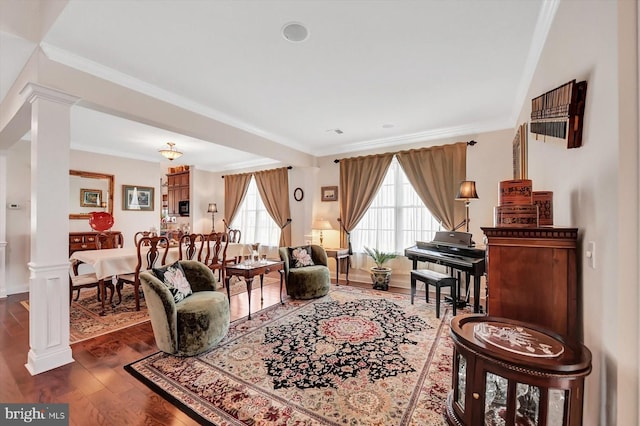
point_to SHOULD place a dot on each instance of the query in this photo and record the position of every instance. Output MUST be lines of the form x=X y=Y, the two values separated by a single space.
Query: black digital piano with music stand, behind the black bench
x=457 y=251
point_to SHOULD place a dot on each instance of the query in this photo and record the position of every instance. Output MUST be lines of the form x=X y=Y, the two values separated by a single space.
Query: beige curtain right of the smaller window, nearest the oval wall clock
x=273 y=186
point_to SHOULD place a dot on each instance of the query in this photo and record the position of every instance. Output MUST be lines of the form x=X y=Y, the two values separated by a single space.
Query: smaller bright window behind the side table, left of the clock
x=254 y=221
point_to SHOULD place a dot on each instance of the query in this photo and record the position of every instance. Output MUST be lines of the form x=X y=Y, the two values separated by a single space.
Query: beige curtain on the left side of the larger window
x=360 y=179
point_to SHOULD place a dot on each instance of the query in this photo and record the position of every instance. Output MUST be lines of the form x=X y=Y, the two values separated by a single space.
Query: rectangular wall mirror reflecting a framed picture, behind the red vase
x=89 y=192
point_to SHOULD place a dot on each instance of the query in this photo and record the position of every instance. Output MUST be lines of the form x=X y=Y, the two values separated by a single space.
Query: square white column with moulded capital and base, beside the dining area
x=49 y=265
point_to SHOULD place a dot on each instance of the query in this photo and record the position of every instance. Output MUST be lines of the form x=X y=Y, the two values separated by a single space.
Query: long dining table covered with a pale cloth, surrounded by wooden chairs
x=108 y=263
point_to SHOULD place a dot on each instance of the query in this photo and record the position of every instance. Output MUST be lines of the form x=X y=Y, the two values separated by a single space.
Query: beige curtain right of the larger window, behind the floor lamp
x=435 y=173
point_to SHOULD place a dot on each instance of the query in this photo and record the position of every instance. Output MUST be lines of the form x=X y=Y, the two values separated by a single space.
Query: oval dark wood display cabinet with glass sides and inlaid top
x=508 y=372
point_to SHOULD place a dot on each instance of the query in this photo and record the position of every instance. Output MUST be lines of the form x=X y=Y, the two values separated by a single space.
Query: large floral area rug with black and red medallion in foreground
x=353 y=357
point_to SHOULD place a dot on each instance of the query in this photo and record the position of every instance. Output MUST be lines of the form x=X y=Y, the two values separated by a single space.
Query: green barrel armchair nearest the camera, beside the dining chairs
x=194 y=324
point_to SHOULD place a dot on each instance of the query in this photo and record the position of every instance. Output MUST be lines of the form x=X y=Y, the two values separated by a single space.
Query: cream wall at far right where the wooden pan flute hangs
x=583 y=44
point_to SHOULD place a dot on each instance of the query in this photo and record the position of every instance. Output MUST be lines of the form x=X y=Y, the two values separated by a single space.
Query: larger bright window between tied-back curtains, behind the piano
x=396 y=219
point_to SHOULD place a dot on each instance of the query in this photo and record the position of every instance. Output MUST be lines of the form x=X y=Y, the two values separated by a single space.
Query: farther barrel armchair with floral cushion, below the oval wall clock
x=307 y=282
